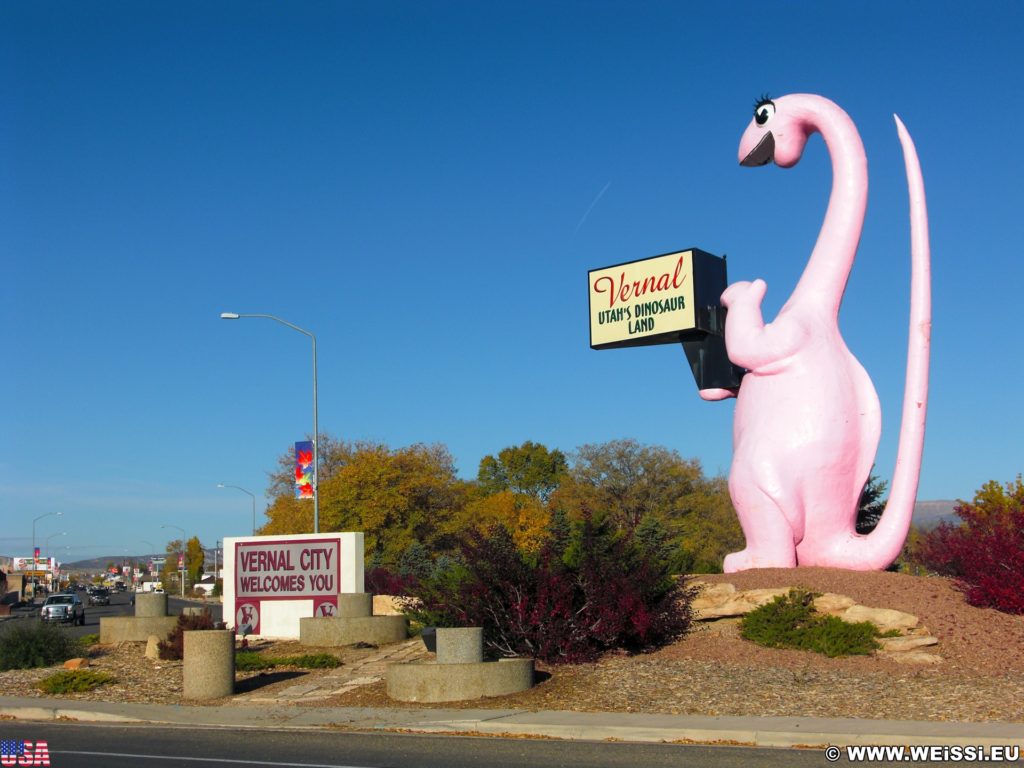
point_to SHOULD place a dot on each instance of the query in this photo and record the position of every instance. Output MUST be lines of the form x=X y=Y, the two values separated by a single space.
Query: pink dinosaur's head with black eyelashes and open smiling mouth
x=779 y=133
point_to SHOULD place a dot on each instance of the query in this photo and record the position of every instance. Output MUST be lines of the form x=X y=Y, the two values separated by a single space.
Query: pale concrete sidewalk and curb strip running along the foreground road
x=568 y=726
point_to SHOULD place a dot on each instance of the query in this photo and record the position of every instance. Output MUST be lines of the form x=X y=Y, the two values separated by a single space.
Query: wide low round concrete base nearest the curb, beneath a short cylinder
x=432 y=682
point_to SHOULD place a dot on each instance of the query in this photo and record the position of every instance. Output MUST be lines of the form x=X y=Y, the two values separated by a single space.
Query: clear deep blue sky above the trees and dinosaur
x=424 y=186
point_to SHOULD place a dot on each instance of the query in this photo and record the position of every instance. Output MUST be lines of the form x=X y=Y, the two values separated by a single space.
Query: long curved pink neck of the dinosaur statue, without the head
x=824 y=281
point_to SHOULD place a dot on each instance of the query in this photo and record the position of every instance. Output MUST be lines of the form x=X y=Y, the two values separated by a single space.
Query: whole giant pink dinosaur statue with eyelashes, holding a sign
x=807 y=420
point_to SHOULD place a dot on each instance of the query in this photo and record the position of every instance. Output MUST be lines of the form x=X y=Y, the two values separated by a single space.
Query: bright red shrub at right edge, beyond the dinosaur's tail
x=985 y=553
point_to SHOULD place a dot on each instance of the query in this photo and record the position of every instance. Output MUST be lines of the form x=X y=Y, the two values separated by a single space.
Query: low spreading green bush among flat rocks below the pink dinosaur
x=792 y=622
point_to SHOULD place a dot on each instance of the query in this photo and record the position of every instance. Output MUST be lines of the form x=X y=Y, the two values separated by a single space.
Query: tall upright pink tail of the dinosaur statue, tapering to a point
x=883 y=546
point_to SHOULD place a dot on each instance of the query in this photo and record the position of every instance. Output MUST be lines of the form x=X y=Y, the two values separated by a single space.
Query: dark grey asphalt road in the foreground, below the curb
x=80 y=746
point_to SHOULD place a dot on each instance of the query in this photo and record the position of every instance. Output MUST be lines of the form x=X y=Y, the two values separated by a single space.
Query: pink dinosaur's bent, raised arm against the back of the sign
x=751 y=344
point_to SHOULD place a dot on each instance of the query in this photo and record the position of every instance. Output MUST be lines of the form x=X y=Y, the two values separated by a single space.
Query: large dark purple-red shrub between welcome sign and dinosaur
x=601 y=592
